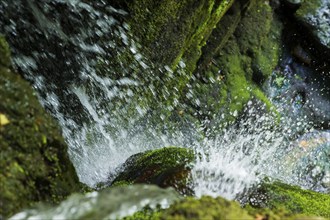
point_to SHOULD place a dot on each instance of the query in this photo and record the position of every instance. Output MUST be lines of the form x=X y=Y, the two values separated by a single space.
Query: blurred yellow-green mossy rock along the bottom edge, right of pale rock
x=216 y=208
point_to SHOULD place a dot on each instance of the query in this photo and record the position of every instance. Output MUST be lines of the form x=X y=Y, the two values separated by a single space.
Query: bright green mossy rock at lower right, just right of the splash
x=279 y=196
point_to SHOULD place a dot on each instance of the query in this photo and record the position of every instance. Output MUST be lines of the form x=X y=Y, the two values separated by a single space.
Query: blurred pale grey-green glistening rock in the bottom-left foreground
x=113 y=203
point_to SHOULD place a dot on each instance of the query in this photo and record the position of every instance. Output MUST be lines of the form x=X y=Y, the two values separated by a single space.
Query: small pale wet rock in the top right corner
x=315 y=15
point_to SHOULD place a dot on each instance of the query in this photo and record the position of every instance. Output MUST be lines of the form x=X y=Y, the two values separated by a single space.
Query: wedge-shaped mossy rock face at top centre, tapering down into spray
x=174 y=31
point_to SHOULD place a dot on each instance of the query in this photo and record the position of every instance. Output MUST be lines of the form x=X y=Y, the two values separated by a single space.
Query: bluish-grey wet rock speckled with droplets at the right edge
x=301 y=91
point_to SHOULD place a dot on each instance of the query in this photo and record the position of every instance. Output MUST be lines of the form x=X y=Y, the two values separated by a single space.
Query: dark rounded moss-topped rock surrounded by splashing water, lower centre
x=165 y=167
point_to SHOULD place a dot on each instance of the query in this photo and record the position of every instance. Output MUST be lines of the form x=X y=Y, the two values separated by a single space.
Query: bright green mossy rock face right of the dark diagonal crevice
x=233 y=75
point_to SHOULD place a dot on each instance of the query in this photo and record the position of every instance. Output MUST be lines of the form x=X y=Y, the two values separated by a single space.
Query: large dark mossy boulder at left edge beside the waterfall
x=34 y=164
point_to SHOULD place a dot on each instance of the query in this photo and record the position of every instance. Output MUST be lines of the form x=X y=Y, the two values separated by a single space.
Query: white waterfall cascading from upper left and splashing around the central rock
x=103 y=114
